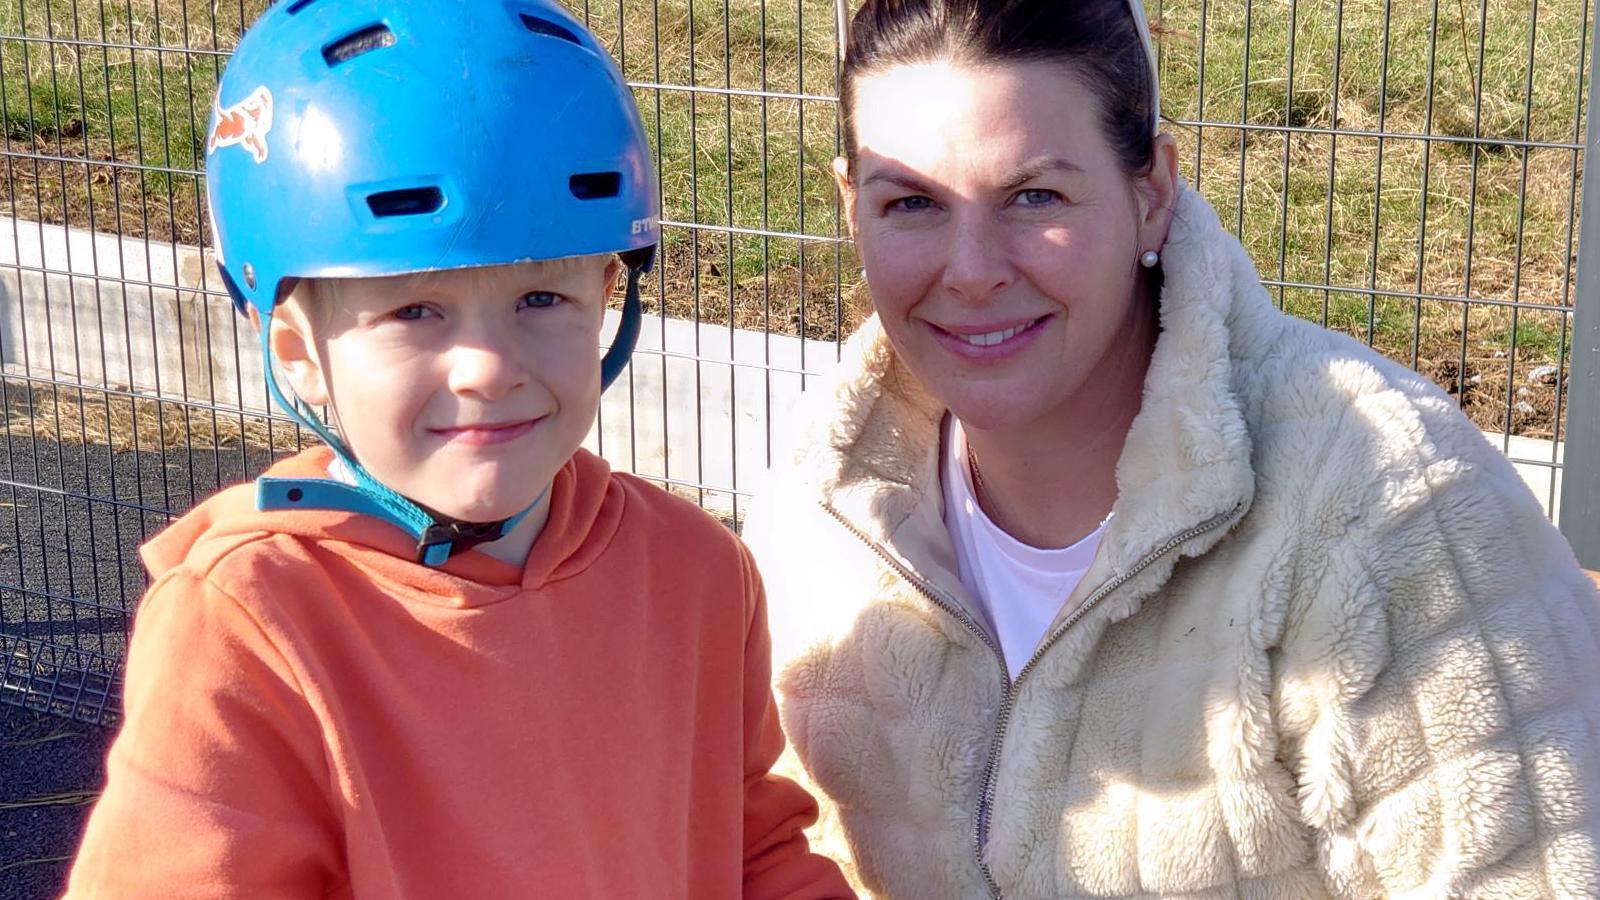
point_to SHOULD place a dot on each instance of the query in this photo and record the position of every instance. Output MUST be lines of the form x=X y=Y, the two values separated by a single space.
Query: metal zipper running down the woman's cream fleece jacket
x=1009 y=694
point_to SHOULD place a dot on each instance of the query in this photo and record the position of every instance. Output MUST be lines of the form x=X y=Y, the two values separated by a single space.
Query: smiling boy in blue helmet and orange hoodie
x=450 y=654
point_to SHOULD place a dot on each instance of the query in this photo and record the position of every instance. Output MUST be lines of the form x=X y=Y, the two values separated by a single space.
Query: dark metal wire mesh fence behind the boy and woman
x=1409 y=174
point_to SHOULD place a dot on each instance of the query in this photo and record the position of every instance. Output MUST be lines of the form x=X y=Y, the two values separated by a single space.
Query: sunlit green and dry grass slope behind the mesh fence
x=1450 y=203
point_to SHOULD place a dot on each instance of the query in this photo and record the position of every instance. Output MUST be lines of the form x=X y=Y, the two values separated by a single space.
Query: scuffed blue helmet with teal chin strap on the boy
x=361 y=139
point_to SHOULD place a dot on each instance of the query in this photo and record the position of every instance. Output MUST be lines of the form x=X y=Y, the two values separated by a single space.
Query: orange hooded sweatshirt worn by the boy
x=310 y=713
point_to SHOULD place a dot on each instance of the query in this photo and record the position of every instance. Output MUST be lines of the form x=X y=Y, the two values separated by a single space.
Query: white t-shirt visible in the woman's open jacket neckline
x=1018 y=589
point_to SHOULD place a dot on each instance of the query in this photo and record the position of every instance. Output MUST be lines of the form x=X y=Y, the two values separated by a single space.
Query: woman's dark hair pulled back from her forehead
x=1095 y=39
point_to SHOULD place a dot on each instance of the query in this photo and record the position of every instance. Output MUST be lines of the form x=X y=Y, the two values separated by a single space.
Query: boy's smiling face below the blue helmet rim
x=462 y=390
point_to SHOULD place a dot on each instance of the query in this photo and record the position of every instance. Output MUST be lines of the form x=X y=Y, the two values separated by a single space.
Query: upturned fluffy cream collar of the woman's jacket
x=1186 y=460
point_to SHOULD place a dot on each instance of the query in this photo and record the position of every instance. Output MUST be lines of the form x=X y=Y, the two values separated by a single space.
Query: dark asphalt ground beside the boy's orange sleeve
x=71 y=521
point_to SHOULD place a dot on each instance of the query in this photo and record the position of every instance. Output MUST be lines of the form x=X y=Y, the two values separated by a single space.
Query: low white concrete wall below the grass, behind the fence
x=697 y=408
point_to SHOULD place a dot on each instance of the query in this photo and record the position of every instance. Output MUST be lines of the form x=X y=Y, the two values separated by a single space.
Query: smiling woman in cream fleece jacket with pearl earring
x=1102 y=577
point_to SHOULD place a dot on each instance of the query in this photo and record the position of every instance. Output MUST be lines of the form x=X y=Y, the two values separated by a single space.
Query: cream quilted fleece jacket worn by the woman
x=1329 y=648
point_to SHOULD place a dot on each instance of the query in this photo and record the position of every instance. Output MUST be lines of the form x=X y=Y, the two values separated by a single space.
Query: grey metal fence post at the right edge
x=1582 y=470
